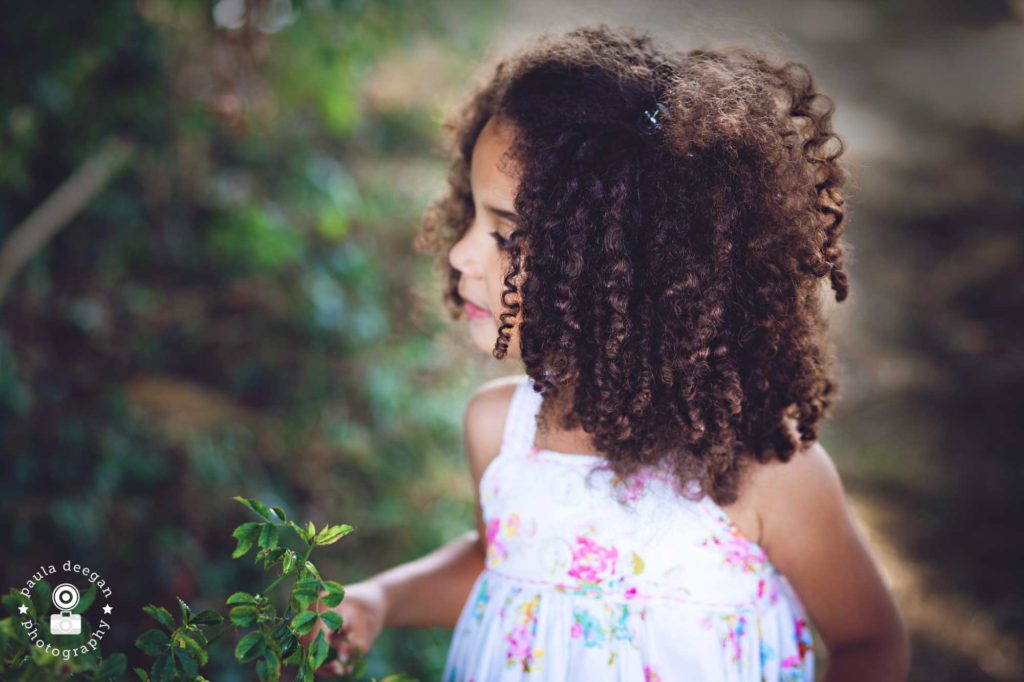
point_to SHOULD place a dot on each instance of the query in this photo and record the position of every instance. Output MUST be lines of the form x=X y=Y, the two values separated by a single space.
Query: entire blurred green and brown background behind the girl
x=208 y=289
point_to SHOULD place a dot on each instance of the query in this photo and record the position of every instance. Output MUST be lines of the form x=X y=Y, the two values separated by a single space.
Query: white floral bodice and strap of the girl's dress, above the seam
x=566 y=519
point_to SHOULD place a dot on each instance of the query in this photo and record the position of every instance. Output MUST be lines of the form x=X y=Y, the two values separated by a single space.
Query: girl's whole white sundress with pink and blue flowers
x=588 y=579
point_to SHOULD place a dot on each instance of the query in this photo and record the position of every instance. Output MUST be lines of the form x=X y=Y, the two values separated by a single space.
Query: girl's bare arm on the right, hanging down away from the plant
x=812 y=538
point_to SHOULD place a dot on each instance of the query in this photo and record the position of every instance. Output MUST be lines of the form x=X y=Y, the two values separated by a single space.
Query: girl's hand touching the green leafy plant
x=363 y=614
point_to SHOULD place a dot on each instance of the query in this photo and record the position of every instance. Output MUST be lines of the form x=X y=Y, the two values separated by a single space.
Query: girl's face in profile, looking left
x=479 y=254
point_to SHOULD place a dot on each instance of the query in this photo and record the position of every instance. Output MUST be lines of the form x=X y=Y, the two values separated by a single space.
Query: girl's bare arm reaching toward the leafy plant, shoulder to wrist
x=432 y=591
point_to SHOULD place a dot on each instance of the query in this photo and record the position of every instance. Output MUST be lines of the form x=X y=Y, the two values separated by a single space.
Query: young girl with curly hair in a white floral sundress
x=648 y=231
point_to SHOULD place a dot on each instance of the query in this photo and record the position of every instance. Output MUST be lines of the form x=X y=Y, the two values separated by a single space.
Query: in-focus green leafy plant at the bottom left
x=181 y=649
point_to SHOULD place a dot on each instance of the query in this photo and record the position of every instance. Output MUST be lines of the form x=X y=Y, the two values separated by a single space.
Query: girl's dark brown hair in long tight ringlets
x=670 y=300
